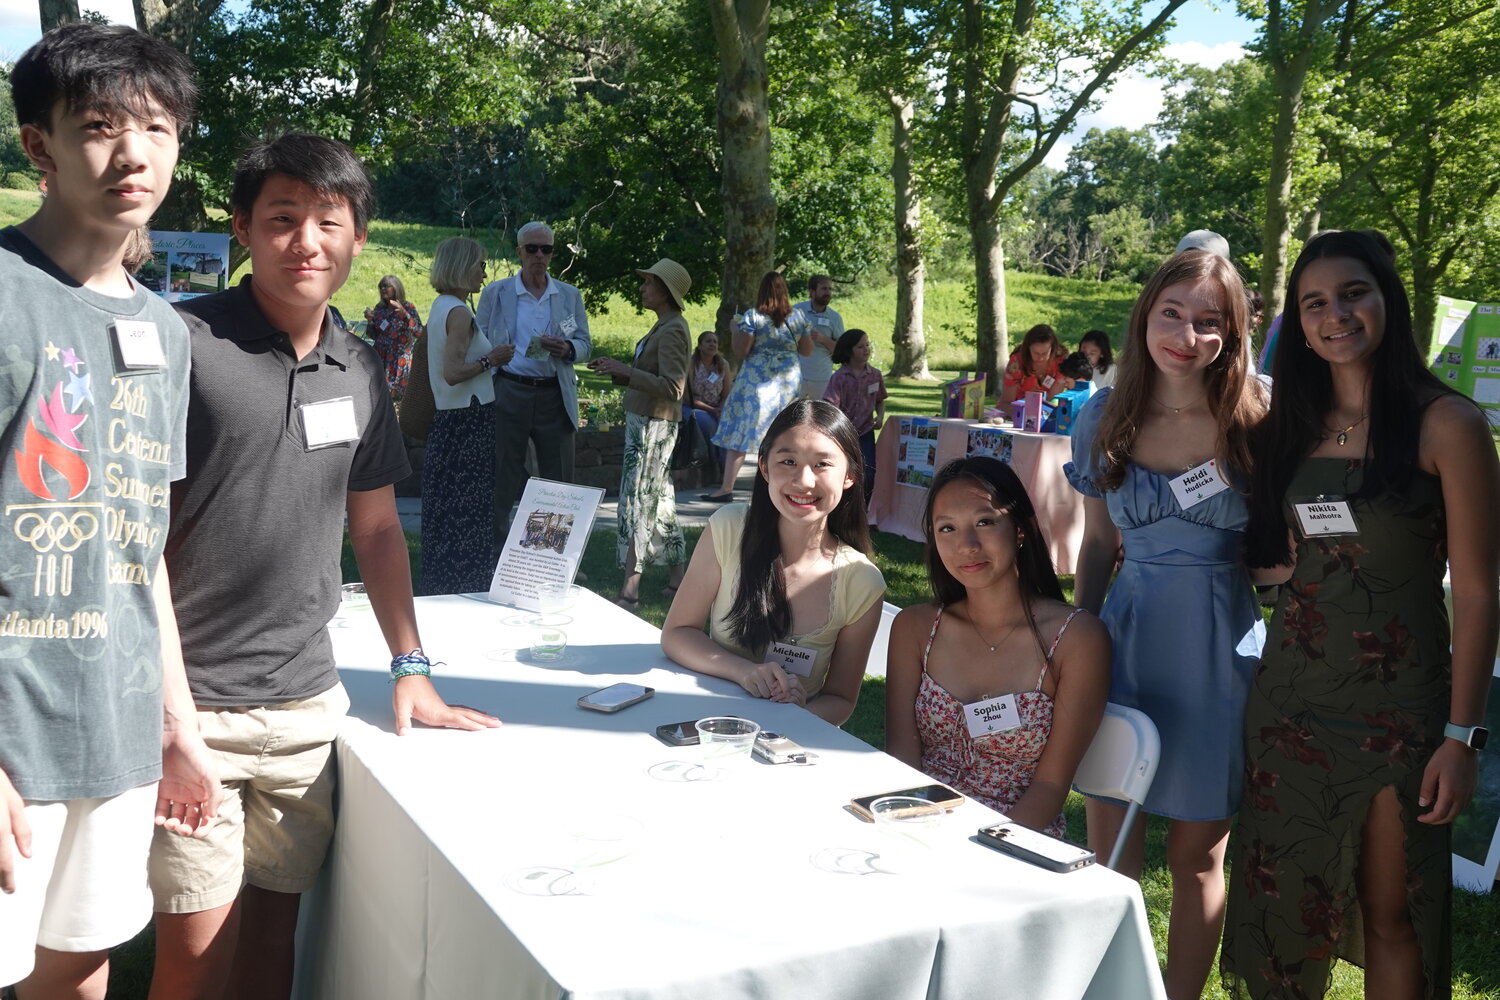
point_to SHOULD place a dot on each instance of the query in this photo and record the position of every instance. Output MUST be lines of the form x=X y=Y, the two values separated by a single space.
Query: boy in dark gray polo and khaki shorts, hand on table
x=290 y=430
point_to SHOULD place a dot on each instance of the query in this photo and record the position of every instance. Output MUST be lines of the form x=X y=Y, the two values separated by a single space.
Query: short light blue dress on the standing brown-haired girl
x=1186 y=626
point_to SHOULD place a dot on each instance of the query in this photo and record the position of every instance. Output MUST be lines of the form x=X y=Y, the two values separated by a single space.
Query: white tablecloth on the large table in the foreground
x=724 y=890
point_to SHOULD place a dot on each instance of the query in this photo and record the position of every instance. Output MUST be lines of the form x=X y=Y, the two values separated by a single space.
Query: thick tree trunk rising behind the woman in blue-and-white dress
x=745 y=134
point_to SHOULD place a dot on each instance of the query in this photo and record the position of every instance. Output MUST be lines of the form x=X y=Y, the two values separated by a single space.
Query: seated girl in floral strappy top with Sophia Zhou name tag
x=998 y=686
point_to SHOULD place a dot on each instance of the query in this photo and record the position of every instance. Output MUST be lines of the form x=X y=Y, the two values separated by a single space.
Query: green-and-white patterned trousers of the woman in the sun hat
x=647 y=500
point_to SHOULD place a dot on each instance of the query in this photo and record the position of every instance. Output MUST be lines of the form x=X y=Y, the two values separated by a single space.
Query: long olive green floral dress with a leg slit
x=1351 y=696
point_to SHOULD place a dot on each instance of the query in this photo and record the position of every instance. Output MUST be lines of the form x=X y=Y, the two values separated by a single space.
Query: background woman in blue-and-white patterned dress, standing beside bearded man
x=769 y=338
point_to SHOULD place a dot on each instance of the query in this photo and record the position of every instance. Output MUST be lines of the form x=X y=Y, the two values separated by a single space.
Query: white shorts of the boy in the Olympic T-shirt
x=85 y=888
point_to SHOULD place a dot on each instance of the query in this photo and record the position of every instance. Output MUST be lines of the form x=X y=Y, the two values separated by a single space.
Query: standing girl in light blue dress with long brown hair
x=1162 y=460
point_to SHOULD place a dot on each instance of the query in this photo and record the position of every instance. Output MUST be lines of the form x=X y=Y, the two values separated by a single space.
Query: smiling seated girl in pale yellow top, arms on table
x=785 y=584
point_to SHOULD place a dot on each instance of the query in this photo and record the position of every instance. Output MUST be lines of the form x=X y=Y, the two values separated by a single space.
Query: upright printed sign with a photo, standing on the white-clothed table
x=545 y=543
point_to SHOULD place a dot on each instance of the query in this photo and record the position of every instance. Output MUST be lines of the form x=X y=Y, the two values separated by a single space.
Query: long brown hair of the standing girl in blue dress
x=1235 y=395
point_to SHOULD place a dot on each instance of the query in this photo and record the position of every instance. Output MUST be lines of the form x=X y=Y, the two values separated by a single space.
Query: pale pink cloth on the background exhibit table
x=1037 y=460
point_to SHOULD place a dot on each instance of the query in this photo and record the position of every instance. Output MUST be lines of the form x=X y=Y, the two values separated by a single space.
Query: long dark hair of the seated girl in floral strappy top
x=1039 y=578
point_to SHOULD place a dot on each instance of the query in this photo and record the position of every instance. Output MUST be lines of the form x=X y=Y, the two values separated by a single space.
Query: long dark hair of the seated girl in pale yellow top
x=761 y=612
